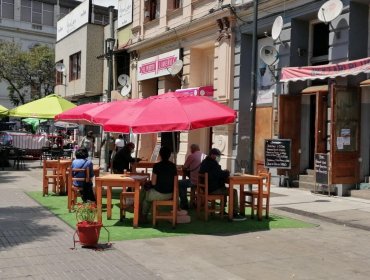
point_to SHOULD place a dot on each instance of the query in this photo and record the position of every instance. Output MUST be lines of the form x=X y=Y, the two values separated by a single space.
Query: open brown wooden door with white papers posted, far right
x=345 y=135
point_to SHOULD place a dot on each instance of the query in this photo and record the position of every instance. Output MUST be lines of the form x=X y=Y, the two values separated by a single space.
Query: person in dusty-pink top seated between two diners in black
x=191 y=169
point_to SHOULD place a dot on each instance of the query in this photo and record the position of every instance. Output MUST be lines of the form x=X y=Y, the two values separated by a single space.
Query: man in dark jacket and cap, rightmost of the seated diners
x=217 y=179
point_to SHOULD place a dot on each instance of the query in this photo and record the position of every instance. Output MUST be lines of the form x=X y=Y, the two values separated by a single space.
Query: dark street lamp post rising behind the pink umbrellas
x=109 y=55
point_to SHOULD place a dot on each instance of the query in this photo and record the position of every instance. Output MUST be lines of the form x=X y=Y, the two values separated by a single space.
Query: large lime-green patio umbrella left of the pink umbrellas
x=46 y=108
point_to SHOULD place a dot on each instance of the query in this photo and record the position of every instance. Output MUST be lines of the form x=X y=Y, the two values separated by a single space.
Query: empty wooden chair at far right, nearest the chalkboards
x=253 y=195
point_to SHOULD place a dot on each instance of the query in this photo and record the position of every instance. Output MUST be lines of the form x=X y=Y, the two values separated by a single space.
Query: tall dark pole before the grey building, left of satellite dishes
x=254 y=88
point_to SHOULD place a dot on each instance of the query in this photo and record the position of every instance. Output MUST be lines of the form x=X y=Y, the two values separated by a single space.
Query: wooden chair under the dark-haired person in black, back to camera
x=173 y=203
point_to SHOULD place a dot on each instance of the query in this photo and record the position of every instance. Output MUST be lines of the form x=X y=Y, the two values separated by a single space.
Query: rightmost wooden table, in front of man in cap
x=241 y=180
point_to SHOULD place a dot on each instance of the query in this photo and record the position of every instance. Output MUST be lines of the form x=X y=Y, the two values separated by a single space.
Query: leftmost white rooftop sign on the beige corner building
x=74 y=20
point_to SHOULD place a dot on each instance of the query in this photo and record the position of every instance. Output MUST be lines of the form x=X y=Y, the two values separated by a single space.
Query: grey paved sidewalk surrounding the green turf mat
x=34 y=244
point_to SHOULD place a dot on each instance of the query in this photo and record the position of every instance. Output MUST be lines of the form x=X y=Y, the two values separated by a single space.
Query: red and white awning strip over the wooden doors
x=354 y=67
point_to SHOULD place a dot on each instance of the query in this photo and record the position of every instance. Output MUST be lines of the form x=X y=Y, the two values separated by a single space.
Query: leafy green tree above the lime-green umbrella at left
x=29 y=74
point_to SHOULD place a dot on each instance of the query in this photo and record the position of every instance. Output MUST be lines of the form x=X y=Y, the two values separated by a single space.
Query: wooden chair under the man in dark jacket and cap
x=203 y=197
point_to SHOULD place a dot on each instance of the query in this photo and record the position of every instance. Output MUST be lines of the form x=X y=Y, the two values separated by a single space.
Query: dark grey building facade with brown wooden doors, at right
x=326 y=116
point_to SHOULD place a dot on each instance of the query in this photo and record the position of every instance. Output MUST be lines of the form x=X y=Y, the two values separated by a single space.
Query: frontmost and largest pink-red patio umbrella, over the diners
x=170 y=112
